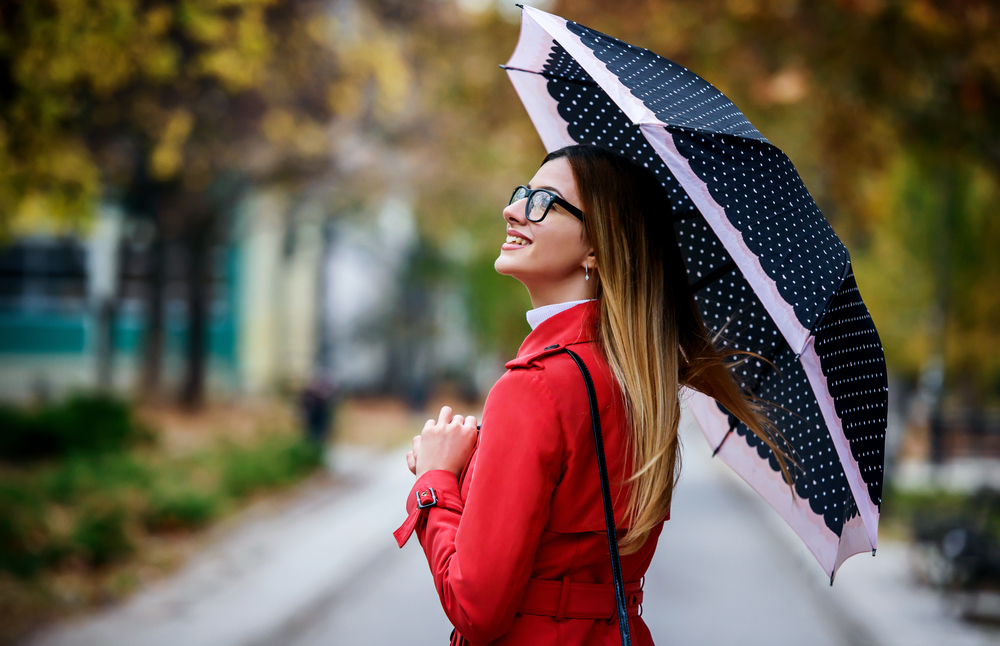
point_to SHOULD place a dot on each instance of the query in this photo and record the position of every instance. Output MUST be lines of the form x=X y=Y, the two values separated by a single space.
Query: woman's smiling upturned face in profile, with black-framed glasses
x=554 y=251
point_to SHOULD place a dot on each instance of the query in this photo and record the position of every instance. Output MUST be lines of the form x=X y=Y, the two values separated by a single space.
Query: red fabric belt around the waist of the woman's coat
x=567 y=599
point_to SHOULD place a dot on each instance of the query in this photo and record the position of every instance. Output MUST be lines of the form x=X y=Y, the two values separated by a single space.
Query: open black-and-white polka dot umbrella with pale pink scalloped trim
x=765 y=266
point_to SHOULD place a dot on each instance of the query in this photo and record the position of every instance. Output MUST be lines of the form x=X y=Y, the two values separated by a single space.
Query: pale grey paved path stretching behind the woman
x=727 y=571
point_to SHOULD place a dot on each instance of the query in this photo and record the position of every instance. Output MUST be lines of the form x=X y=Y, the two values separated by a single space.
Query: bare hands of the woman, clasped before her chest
x=443 y=444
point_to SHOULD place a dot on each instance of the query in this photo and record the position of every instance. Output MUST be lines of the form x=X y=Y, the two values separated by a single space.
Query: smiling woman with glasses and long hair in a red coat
x=511 y=518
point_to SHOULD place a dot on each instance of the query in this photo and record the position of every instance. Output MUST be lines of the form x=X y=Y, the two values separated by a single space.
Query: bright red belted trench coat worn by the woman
x=528 y=503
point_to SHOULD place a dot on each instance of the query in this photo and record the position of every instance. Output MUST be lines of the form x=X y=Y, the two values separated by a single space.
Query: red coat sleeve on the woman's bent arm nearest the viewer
x=481 y=557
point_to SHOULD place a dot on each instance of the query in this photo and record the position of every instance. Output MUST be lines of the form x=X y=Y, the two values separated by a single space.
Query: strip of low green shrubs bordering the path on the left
x=96 y=507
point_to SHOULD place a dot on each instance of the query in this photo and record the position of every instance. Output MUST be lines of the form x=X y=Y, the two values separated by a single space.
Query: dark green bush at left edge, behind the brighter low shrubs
x=83 y=424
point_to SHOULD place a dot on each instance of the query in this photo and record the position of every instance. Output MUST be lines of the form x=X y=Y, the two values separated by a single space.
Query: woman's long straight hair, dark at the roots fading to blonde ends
x=649 y=329
